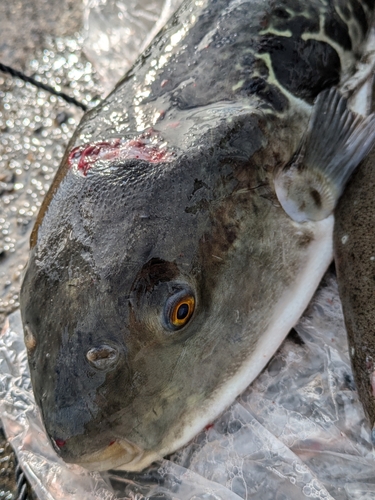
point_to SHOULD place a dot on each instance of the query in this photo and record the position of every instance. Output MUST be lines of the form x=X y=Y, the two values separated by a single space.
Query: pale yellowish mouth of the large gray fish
x=120 y=452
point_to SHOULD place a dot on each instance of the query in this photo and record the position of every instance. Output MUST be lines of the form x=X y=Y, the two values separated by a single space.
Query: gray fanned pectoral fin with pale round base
x=336 y=141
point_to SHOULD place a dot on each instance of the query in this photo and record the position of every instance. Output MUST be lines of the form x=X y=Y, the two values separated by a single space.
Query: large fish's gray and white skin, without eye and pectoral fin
x=167 y=188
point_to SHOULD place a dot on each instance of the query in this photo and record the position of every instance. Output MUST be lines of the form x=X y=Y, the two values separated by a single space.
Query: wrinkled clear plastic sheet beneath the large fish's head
x=297 y=432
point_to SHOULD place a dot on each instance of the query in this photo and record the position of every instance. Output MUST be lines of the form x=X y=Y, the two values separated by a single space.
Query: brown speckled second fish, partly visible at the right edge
x=355 y=264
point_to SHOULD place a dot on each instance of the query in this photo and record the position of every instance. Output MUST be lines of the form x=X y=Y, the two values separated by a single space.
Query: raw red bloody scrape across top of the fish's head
x=87 y=155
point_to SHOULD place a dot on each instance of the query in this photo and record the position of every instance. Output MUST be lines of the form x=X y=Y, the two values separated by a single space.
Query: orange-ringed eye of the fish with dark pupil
x=179 y=309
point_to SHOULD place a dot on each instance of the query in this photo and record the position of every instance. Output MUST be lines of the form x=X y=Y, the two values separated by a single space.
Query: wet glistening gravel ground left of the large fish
x=39 y=37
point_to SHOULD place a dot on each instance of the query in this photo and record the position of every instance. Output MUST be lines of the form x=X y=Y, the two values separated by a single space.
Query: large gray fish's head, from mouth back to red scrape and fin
x=154 y=293
